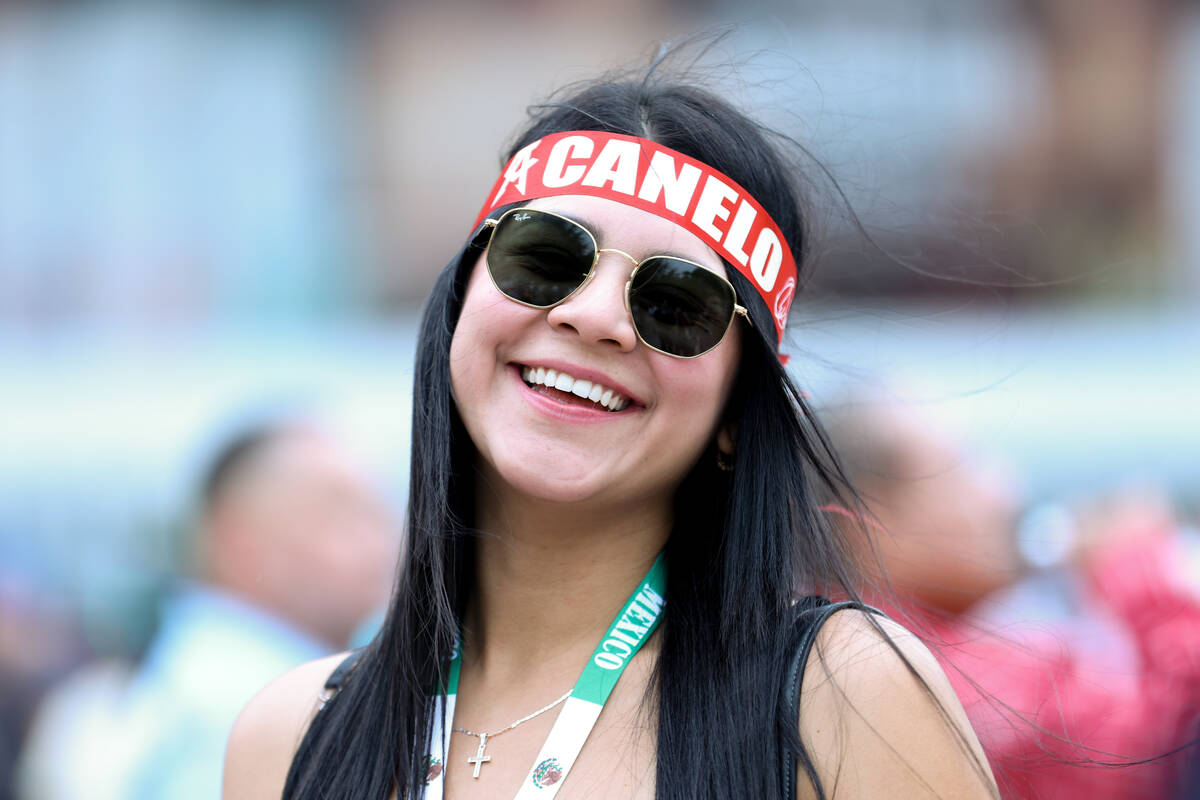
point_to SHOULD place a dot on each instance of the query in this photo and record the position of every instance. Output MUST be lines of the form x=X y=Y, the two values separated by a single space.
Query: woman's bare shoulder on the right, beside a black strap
x=880 y=719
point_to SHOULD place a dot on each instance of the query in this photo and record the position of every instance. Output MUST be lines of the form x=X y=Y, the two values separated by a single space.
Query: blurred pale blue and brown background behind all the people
x=211 y=212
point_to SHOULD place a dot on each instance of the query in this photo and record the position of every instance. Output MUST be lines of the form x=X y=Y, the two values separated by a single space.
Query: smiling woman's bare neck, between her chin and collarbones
x=550 y=581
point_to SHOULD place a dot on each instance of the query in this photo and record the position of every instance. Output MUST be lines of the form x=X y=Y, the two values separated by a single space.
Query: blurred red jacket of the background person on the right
x=1041 y=708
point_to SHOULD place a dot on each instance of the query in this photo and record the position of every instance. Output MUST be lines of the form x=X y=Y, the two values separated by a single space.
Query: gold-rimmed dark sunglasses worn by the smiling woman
x=680 y=308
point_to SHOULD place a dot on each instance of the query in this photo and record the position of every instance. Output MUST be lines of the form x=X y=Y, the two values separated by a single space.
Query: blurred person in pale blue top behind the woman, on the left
x=295 y=551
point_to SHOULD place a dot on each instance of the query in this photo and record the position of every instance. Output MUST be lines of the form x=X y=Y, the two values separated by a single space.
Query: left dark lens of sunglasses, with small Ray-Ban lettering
x=539 y=258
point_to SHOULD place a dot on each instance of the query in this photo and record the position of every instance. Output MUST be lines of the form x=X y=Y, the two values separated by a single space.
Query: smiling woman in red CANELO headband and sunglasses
x=605 y=440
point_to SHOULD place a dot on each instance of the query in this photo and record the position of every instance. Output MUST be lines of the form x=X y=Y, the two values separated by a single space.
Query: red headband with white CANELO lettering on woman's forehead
x=663 y=182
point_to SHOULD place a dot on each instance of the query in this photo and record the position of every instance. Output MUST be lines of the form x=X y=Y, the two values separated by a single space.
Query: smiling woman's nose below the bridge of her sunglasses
x=597 y=312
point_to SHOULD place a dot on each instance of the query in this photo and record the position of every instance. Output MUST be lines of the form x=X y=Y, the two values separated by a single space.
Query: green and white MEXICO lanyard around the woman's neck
x=631 y=629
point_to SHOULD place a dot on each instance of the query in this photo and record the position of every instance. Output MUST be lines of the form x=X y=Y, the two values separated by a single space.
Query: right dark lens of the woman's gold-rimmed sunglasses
x=679 y=308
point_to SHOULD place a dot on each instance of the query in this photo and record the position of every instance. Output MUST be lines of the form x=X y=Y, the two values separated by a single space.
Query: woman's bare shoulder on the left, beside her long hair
x=269 y=730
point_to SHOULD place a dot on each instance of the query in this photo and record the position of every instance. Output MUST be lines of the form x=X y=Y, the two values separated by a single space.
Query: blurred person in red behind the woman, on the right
x=1054 y=705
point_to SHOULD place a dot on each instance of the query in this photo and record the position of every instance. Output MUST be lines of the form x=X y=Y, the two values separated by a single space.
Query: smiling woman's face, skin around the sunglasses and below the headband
x=551 y=446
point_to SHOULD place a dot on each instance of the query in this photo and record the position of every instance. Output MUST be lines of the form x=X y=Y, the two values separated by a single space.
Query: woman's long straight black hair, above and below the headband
x=745 y=543
